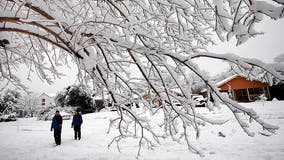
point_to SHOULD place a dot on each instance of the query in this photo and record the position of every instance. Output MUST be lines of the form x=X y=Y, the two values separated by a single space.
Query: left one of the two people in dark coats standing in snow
x=56 y=126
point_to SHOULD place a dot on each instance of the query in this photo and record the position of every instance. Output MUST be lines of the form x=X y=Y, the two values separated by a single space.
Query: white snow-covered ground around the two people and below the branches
x=32 y=140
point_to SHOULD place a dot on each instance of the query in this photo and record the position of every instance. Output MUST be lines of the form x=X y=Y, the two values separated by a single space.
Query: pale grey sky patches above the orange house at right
x=263 y=47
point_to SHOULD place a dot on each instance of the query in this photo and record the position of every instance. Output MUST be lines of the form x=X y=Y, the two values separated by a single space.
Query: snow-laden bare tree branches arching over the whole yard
x=156 y=39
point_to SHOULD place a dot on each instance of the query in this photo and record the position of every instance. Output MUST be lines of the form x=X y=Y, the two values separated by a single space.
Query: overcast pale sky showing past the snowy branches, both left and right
x=264 y=47
